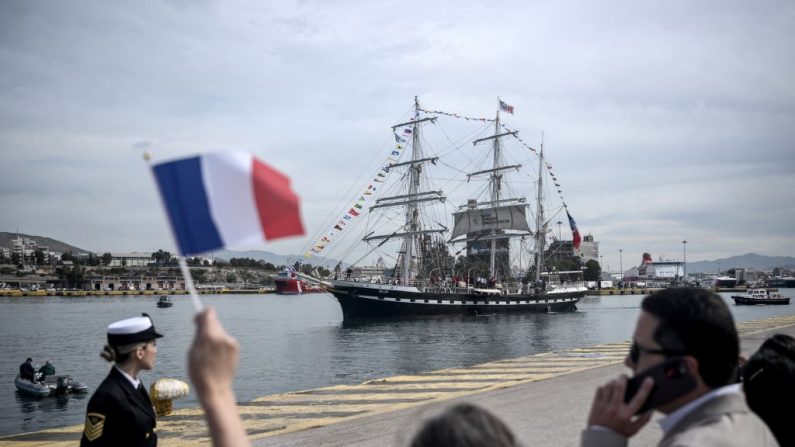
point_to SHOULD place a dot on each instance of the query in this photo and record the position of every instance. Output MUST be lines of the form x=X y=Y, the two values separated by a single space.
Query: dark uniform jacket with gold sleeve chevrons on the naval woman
x=119 y=415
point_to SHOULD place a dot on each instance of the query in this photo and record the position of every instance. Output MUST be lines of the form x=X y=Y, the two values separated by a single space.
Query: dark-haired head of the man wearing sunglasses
x=695 y=324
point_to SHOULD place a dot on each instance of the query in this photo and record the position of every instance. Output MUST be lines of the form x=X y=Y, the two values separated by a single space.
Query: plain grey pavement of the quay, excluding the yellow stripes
x=549 y=411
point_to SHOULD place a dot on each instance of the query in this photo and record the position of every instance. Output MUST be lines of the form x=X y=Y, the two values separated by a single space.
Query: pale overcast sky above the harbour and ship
x=665 y=121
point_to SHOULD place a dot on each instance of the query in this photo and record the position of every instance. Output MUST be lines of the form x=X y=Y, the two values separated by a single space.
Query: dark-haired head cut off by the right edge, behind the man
x=769 y=385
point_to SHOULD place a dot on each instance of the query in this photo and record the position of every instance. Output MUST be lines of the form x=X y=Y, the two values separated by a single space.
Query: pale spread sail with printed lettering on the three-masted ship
x=510 y=217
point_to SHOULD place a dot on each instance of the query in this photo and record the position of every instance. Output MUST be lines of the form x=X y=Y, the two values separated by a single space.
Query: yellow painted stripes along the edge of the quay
x=299 y=410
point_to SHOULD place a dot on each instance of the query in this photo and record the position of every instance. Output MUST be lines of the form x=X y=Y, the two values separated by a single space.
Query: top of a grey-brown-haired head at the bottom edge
x=464 y=425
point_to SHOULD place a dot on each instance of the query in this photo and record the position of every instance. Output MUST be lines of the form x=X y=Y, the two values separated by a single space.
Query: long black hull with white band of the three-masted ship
x=364 y=300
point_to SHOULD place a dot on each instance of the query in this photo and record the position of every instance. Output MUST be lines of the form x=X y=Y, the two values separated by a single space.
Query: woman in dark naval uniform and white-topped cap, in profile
x=120 y=412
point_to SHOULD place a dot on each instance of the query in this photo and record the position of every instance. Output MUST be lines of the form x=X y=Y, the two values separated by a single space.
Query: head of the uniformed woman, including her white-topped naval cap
x=132 y=341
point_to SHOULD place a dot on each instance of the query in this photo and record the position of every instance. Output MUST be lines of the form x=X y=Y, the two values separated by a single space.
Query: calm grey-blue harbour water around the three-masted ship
x=288 y=343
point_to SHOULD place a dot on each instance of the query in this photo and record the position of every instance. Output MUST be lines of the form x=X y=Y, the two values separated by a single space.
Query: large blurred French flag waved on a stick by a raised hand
x=223 y=199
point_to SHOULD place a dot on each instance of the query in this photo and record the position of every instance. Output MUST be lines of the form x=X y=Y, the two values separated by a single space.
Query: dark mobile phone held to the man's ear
x=672 y=379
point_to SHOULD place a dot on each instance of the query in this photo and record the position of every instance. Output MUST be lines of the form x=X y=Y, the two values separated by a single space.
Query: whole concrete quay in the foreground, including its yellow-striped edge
x=544 y=398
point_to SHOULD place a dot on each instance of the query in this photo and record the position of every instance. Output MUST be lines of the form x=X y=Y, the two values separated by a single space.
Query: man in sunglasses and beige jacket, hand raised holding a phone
x=696 y=327
